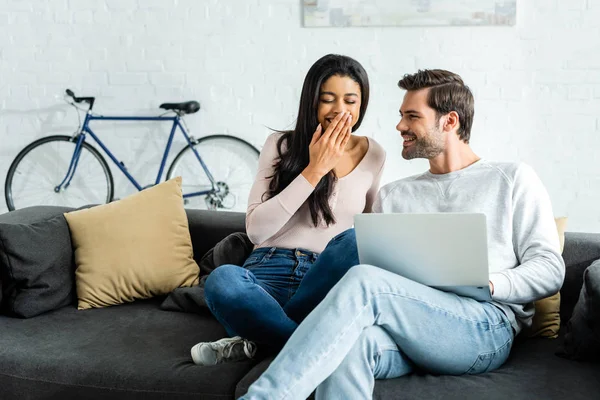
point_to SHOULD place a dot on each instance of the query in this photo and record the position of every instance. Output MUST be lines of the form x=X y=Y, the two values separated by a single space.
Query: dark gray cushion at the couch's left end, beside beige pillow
x=36 y=263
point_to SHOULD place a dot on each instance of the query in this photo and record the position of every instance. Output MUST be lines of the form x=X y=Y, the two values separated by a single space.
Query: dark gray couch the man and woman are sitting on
x=138 y=351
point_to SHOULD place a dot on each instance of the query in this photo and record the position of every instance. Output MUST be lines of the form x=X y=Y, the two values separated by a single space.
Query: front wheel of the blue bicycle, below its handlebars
x=41 y=166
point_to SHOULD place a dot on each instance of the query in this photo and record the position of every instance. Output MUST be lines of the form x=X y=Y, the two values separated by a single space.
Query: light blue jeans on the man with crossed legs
x=375 y=324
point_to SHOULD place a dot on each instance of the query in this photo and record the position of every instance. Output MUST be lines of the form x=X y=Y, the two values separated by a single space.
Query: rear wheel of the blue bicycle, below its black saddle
x=231 y=161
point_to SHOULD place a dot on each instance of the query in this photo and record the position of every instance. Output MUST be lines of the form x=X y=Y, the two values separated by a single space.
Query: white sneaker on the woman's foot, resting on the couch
x=227 y=349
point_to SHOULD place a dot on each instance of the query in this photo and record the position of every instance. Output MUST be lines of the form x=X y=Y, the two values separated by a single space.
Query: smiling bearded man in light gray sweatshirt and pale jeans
x=375 y=324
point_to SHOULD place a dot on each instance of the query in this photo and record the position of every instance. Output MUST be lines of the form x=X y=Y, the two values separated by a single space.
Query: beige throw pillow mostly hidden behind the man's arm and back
x=546 y=321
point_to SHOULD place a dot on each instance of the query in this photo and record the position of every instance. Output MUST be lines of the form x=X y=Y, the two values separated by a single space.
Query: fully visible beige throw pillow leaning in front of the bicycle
x=134 y=248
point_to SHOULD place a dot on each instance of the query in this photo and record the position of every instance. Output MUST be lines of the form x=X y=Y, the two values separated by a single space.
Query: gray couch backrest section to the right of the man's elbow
x=581 y=249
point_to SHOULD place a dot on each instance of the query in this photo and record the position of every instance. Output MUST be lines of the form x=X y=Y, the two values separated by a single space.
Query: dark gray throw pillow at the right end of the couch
x=582 y=340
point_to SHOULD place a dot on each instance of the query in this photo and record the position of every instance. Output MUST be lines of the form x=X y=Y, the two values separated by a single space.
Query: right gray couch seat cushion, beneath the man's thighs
x=532 y=371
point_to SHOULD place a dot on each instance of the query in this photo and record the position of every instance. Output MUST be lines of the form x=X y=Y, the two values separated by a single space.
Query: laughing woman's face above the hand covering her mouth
x=337 y=94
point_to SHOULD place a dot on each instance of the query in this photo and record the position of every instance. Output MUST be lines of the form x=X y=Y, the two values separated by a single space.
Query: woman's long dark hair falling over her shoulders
x=296 y=157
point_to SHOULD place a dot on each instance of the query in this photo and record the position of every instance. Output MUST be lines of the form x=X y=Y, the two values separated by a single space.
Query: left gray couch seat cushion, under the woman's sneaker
x=130 y=351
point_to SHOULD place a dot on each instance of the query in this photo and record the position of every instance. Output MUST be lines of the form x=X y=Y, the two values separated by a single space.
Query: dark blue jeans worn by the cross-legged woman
x=275 y=289
